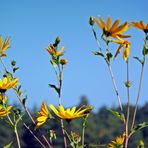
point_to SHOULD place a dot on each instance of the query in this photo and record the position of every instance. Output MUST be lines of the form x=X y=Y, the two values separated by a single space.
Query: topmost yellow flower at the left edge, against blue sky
x=3 y=46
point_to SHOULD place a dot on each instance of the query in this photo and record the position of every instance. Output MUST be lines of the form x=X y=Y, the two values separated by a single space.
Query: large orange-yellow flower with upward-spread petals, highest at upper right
x=113 y=30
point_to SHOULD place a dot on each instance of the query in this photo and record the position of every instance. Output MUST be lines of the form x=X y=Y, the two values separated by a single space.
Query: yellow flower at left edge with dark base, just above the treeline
x=6 y=84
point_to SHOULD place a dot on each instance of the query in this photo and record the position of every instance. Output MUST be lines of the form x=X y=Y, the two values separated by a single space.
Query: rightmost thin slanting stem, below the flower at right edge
x=138 y=96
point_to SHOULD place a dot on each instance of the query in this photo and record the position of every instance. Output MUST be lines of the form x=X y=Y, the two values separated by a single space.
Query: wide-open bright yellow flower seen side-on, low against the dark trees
x=72 y=113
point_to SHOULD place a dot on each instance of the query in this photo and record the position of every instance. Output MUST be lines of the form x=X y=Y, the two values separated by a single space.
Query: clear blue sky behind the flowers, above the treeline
x=33 y=24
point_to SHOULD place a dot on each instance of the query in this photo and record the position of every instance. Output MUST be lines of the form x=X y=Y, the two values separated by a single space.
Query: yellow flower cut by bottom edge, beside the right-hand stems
x=118 y=143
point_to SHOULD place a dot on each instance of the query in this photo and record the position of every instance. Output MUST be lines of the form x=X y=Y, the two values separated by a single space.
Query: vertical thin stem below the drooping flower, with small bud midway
x=128 y=108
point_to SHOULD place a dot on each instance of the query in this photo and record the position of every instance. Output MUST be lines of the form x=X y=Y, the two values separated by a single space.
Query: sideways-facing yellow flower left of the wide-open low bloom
x=42 y=116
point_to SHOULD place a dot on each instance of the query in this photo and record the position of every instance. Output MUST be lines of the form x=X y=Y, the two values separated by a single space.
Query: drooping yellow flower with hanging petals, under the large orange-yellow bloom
x=125 y=45
